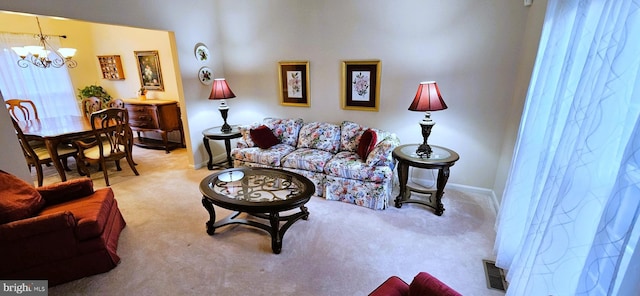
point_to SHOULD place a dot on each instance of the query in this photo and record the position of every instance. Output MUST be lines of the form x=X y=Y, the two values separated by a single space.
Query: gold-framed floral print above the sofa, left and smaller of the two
x=293 y=77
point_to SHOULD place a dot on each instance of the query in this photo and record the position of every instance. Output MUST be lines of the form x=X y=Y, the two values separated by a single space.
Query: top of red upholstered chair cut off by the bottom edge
x=423 y=284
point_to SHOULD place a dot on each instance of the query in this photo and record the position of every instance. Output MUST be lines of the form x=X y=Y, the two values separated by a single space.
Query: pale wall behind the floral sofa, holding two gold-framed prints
x=471 y=48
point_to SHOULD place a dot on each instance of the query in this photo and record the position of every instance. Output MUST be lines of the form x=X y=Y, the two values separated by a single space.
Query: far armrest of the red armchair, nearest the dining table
x=65 y=191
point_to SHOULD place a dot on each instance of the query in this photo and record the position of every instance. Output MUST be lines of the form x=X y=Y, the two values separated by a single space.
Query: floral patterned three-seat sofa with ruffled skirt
x=327 y=154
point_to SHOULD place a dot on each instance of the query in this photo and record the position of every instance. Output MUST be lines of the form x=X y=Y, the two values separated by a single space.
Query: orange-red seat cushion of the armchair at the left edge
x=91 y=212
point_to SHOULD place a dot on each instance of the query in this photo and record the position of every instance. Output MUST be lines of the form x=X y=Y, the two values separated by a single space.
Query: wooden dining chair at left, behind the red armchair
x=39 y=155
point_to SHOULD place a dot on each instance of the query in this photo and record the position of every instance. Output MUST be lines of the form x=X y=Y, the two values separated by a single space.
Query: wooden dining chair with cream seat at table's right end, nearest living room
x=112 y=141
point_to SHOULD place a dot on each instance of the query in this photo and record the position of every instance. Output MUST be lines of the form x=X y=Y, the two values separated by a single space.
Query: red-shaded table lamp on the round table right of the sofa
x=427 y=99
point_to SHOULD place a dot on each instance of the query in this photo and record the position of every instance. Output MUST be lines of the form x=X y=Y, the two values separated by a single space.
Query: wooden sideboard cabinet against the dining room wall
x=160 y=116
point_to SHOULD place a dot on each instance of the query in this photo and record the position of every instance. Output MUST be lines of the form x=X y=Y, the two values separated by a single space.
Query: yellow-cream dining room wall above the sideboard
x=92 y=40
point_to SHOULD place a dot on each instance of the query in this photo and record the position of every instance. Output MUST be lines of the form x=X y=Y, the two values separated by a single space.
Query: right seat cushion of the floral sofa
x=349 y=165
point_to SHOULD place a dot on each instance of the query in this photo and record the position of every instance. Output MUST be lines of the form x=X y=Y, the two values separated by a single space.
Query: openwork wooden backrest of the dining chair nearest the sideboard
x=111 y=126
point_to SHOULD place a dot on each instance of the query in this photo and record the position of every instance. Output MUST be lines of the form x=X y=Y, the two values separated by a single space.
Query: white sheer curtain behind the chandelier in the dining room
x=50 y=89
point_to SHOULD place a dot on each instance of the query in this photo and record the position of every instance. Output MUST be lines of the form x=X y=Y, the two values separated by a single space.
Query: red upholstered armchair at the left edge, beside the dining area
x=59 y=232
